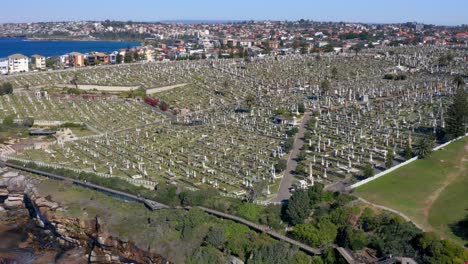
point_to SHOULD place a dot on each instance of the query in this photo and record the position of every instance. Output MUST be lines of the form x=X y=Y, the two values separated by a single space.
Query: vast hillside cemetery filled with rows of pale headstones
x=227 y=123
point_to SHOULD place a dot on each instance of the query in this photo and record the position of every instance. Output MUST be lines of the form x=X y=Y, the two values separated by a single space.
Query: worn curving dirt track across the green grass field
x=436 y=194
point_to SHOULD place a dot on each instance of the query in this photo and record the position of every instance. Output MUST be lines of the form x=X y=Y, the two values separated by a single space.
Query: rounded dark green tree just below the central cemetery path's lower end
x=298 y=208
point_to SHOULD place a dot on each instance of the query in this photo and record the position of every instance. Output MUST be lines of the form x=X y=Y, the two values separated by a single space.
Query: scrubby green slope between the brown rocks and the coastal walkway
x=183 y=236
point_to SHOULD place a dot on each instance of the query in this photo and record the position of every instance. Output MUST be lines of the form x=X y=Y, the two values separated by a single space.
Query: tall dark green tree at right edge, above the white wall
x=457 y=114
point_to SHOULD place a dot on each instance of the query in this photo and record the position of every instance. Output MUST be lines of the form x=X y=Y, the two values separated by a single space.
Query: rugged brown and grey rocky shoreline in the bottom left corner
x=35 y=231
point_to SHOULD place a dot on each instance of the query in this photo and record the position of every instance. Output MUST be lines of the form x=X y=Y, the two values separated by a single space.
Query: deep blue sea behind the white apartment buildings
x=48 y=48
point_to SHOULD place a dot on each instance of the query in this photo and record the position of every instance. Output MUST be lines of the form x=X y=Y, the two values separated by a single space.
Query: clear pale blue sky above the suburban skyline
x=446 y=12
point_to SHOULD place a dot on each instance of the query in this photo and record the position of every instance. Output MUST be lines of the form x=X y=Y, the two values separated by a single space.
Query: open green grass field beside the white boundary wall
x=433 y=192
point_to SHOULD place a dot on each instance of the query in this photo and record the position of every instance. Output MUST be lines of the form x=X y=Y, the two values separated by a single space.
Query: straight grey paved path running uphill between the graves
x=286 y=183
